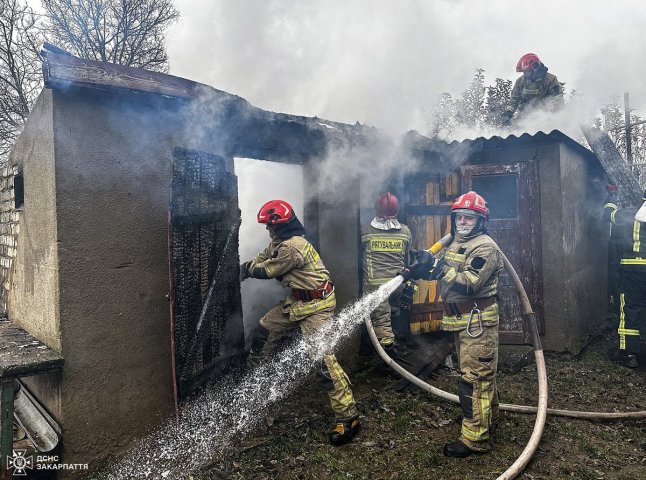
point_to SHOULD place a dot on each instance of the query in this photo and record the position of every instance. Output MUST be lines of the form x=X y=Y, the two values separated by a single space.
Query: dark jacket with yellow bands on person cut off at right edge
x=629 y=236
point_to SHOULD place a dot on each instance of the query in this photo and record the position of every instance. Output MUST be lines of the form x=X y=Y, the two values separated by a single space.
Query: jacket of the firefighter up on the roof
x=546 y=91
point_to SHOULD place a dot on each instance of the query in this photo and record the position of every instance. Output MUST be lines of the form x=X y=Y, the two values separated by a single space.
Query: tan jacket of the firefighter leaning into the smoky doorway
x=295 y=264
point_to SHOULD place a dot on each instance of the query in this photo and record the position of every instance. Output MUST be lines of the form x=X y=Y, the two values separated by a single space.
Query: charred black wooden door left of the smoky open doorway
x=206 y=313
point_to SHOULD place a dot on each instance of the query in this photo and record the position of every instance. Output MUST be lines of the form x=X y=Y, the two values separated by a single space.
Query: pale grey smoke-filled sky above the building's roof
x=384 y=62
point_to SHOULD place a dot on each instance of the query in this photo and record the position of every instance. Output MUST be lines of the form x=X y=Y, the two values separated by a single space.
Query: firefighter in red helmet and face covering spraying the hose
x=467 y=273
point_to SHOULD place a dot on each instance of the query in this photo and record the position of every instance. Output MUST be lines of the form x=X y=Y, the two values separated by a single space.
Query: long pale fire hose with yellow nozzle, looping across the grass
x=541 y=411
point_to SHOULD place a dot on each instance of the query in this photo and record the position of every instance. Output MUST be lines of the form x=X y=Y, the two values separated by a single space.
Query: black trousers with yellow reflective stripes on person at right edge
x=632 y=309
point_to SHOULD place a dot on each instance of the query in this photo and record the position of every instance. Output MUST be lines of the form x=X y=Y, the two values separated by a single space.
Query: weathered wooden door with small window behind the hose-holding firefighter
x=511 y=192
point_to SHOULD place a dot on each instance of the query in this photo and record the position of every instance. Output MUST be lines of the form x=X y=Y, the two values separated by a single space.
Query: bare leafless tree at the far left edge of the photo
x=20 y=73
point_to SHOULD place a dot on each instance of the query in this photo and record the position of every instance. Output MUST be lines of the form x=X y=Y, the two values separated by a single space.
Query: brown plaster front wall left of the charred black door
x=113 y=161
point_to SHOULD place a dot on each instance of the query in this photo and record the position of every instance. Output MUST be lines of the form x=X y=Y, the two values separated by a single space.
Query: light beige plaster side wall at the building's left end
x=33 y=296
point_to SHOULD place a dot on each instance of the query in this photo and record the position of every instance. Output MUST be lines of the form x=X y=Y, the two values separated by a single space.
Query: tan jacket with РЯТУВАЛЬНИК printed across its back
x=384 y=253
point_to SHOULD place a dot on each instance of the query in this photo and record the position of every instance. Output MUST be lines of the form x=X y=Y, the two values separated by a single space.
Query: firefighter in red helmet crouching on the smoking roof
x=534 y=89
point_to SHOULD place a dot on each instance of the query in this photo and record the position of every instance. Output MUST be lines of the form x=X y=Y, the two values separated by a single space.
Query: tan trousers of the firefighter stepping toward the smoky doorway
x=278 y=322
